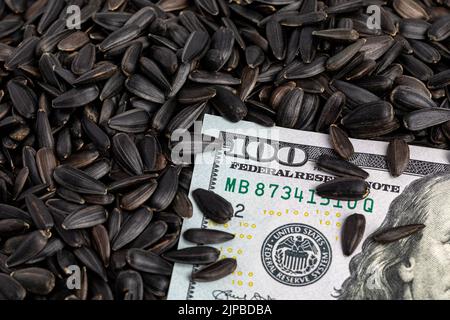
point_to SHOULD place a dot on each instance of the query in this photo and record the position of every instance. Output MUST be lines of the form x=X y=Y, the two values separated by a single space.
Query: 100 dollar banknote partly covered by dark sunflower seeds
x=288 y=239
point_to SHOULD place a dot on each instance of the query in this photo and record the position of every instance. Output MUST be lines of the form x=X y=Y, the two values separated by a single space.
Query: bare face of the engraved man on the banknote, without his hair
x=427 y=273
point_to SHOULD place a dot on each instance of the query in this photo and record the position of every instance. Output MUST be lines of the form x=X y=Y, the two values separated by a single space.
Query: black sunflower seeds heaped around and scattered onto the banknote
x=86 y=116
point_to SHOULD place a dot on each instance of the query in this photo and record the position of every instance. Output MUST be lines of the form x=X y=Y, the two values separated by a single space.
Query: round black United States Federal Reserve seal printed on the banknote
x=296 y=254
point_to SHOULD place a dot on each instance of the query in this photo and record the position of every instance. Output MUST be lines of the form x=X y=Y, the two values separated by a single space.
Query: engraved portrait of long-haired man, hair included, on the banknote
x=413 y=268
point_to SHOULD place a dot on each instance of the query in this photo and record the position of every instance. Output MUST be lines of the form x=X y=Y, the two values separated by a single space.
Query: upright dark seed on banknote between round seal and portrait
x=352 y=233
